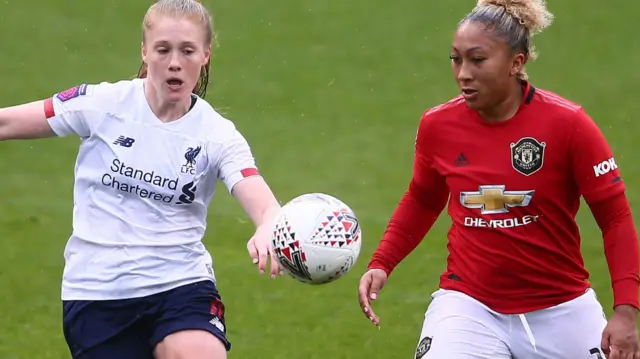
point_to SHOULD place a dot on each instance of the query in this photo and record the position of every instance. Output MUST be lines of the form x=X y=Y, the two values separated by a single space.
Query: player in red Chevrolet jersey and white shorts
x=513 y=162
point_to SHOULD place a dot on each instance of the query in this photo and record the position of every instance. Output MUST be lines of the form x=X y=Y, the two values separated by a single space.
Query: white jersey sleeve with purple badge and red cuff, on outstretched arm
x=79 y=110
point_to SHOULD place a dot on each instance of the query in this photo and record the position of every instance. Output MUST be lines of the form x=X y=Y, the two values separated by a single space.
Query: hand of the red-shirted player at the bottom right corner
x=620 y=336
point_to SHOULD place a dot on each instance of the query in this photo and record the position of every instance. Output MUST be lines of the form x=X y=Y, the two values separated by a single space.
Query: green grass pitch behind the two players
x=329 y=94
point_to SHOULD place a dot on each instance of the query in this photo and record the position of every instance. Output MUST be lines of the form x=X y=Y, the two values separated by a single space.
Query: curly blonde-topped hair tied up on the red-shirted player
x=514 y=22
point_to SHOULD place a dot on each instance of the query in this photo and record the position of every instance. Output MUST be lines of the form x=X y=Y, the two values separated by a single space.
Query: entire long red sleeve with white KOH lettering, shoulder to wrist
x=597 y=175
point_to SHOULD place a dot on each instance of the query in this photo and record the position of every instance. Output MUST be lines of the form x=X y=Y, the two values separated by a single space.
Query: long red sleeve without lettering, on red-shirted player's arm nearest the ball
x=419 y=207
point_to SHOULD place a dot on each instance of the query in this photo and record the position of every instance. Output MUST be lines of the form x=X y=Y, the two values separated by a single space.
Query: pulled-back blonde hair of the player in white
x=193 y=10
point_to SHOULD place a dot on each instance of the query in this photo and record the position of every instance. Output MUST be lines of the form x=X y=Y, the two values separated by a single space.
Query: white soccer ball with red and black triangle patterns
x=316 y=238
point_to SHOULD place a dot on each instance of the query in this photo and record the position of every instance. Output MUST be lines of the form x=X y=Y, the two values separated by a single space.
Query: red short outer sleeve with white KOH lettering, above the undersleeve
x=594 y=168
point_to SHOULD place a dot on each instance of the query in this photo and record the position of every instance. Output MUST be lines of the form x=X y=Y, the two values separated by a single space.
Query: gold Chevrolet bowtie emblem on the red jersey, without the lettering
x=494 y=199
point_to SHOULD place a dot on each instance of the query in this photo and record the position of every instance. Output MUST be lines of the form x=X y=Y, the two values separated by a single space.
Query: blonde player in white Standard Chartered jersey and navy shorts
x=138 y=281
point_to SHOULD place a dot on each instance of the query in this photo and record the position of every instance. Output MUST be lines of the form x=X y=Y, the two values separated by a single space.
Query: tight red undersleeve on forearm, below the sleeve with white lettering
x=614 y=218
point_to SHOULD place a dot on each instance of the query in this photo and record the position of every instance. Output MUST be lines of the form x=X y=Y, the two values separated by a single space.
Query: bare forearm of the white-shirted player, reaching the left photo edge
x=28 y=121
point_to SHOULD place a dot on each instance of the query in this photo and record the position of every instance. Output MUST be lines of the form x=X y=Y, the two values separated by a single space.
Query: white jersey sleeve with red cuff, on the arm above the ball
x=236 y=161
